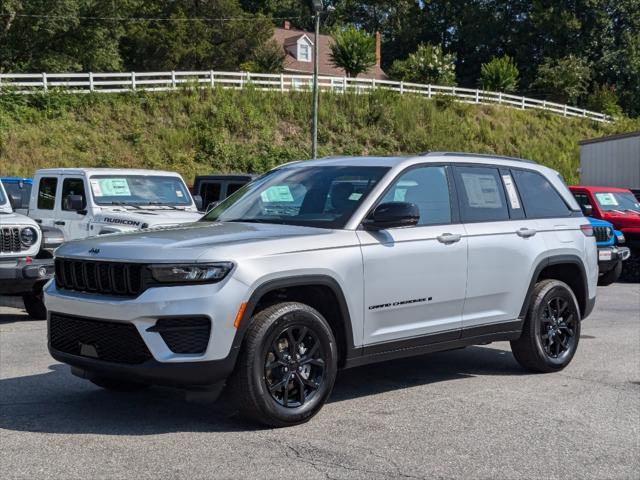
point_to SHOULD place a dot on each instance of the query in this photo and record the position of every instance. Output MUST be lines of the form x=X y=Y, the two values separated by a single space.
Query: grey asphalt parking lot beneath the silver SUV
x=471 y=413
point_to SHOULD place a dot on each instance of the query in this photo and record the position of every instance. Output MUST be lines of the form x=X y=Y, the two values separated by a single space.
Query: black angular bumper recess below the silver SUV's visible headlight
x=184 y=335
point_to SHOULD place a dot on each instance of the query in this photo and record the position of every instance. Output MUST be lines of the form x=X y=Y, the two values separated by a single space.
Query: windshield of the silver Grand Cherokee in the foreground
x=324 y=197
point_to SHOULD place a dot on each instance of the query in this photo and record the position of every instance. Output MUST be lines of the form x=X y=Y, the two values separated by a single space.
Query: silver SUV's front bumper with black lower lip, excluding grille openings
x=143 y=312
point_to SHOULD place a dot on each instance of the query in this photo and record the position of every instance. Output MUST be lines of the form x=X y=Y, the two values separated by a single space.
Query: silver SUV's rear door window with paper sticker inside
x=481 y=194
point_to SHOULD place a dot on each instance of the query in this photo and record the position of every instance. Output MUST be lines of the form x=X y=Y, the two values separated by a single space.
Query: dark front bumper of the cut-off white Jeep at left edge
x=19 y=276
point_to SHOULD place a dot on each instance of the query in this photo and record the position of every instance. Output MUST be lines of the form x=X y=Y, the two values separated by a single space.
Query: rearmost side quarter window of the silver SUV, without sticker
x=540 y=198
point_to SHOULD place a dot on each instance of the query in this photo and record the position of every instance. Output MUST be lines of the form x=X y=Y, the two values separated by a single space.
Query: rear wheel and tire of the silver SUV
x=551 y=330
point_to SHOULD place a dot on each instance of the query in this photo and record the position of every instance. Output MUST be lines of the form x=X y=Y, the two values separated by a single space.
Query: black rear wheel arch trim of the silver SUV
x=567 y=268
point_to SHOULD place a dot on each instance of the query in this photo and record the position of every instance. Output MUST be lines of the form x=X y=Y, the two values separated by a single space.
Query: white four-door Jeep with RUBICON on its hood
x=84 y=202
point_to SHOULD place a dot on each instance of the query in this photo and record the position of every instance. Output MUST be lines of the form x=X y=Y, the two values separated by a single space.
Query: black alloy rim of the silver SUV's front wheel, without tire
x=294 y=366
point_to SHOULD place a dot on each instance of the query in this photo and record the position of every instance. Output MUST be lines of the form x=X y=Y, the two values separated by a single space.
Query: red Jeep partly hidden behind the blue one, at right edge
x=620 y=207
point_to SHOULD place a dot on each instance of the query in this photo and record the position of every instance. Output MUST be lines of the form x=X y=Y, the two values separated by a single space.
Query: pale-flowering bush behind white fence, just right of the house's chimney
x=428 y=64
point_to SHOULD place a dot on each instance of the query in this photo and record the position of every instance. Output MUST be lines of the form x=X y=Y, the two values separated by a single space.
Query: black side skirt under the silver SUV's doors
x=438 y=342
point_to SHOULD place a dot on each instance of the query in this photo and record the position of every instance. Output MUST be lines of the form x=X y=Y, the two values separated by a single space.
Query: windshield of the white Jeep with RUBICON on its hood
x=139 y=190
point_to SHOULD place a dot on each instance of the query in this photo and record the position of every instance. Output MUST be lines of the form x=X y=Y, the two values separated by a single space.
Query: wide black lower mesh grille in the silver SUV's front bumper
x=111 y=341
